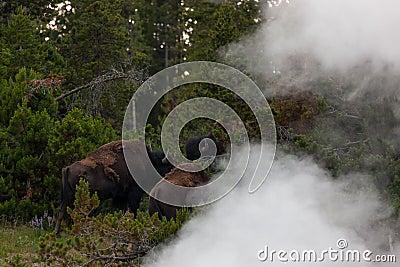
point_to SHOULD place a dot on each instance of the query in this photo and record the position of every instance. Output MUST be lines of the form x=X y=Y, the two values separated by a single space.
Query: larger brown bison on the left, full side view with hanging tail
x=106 y=171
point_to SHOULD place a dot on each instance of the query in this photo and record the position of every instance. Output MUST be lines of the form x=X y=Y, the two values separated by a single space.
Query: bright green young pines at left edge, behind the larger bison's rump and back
x=35 y=144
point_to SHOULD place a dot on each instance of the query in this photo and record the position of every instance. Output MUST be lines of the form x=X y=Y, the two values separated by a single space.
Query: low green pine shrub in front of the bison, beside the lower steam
x=111 y=239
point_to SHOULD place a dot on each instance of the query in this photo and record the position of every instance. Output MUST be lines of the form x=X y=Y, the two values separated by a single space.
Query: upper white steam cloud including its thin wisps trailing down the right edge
x=349 y=45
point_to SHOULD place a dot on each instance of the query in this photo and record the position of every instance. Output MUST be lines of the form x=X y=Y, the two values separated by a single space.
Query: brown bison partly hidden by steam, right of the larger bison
x=177 y=177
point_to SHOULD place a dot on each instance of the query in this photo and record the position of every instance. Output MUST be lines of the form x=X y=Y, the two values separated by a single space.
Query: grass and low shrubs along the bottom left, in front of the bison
x=112 y=239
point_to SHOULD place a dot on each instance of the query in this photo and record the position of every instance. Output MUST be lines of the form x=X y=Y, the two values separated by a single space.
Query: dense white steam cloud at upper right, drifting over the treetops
x=305 y=39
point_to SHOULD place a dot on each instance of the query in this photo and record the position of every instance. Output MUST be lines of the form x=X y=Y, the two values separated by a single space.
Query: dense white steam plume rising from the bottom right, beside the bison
x=298 y=208
